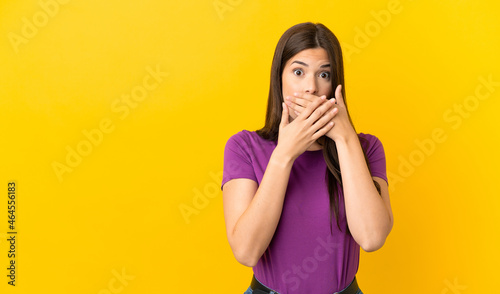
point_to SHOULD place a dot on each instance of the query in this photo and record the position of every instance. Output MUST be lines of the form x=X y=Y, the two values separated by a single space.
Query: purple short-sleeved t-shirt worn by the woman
x=303 y=256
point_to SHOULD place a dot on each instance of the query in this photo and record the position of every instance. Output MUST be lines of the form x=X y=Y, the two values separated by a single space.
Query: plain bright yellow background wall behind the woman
x=118 y=209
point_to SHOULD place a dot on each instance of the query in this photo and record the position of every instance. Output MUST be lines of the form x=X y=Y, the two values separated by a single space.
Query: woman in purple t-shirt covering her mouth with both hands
x=305 y=192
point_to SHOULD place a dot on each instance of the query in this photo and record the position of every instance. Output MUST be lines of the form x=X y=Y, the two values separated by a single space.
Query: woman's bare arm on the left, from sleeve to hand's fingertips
x=252 y=213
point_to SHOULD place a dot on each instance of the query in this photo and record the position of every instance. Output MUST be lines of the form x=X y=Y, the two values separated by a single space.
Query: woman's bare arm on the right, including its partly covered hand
x=369 y=213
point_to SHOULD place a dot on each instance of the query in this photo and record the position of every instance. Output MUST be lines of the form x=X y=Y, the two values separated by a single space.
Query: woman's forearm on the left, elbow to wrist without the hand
x=256 y=226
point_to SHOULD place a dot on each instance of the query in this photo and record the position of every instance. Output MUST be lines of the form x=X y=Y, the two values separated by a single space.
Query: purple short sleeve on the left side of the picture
x=237 y=160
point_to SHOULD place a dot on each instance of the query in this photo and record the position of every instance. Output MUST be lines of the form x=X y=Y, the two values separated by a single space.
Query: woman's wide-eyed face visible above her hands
x=309 y=71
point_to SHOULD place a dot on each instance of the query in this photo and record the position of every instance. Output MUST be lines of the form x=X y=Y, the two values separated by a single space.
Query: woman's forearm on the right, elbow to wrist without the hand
x=367 y=215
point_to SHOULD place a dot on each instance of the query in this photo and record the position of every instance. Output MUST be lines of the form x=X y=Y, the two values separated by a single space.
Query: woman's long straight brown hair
x=296 y=39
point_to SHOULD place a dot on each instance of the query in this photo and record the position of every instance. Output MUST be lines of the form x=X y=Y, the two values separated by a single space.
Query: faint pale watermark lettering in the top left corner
x=30 y=27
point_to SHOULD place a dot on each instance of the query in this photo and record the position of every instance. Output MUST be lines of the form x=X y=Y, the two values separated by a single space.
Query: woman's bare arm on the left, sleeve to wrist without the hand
x=252 y=220
